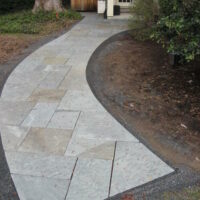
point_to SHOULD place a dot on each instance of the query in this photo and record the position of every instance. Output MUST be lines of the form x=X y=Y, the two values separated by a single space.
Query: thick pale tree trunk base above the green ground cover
x=48 y=5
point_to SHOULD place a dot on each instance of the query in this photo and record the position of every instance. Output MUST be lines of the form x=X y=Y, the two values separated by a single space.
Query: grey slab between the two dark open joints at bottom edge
x=90 y=180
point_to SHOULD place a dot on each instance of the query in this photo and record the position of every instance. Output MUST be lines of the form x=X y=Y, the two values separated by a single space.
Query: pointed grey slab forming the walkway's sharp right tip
x=135 y=165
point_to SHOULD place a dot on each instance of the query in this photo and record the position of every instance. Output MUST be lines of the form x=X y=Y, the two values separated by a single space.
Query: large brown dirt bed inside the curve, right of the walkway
x=161 y=102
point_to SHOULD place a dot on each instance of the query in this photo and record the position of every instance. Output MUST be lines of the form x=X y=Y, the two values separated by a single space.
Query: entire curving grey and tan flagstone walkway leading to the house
x=60 y=142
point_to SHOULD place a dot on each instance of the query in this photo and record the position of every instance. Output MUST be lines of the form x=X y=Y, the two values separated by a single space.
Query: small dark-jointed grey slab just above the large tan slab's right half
x=63 y=120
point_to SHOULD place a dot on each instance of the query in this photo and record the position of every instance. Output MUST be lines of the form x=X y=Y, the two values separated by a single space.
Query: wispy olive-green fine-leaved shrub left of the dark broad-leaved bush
x=144 y=15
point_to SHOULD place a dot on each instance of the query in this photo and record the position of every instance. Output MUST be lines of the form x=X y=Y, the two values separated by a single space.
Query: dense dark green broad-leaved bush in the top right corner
x=179 y=28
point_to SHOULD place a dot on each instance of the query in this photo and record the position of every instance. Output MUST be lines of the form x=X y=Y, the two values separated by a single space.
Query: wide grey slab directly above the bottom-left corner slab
x=51 y=166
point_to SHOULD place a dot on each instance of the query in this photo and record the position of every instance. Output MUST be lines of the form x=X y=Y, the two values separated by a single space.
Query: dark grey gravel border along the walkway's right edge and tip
x=182 y=176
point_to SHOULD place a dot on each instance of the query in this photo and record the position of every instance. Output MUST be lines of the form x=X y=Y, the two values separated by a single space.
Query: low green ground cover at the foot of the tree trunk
x=41 y=22
